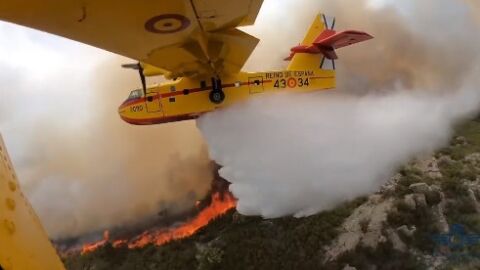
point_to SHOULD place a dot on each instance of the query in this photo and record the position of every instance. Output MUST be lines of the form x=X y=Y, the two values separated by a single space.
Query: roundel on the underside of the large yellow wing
x=167 y=24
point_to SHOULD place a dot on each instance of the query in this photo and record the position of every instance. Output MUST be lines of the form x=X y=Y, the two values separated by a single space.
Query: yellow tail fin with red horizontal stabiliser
x=317 y=51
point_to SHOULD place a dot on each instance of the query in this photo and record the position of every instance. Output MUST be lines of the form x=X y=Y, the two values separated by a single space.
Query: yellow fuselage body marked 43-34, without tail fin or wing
x=188 y=98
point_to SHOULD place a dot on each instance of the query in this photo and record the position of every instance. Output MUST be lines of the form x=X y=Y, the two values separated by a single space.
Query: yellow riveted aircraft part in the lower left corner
x=23 y=242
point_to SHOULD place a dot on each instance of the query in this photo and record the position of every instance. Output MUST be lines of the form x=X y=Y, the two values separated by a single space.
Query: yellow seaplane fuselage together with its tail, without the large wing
x=311 y=68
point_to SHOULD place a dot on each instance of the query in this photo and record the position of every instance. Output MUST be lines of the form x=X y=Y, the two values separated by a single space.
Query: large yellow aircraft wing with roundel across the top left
x=179 y=37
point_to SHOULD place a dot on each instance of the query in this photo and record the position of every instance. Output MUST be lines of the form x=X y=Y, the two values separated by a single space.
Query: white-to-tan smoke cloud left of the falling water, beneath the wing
x=81 y=167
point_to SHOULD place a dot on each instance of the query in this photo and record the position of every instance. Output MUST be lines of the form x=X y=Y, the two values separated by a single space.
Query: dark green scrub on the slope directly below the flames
x=232 y=242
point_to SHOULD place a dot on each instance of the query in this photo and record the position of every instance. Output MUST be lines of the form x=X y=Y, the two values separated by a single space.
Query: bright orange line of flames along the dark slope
x=219 y=206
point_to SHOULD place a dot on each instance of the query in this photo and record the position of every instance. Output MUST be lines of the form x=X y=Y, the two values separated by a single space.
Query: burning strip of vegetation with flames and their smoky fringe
x=160 y=231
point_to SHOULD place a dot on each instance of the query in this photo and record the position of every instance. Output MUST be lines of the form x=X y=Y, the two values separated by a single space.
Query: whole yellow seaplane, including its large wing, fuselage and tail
x=194 y=44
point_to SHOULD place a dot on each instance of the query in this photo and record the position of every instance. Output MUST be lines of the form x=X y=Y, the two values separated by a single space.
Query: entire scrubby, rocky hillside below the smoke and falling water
x=426 y=217
